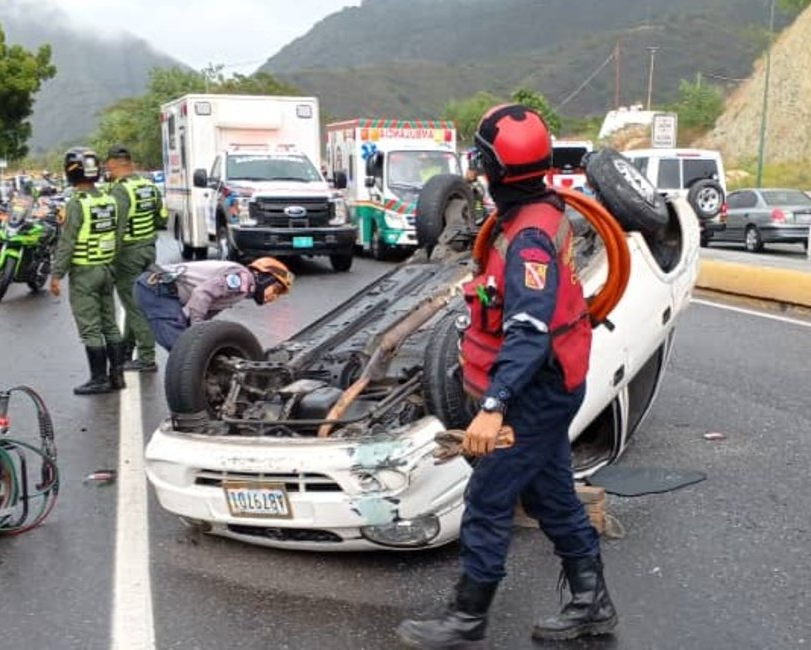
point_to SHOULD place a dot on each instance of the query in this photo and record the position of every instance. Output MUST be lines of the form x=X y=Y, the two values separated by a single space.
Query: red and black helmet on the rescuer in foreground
x=514 y=143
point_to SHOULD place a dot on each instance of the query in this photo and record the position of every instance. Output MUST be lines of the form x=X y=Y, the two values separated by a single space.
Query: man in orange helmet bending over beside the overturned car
x=175 y=296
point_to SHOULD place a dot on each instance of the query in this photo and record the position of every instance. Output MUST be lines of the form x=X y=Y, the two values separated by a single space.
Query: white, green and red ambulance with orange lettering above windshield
x=386 y=163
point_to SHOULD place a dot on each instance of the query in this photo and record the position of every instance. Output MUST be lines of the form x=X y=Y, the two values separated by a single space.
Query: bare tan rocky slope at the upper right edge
x=788 y=124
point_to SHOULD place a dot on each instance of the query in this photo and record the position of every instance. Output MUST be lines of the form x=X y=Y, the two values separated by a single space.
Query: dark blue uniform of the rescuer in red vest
x=537 y=469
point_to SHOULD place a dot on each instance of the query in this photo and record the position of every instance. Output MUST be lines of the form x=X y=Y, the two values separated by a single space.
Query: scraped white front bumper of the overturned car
x=338 y=489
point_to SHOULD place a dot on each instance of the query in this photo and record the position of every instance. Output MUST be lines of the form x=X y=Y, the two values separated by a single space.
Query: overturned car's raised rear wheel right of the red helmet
x=626 y=192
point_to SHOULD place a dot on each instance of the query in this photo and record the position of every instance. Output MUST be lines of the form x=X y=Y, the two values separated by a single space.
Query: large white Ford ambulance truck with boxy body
x=242 y=174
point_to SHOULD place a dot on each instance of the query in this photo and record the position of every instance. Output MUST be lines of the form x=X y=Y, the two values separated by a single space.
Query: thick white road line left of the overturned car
x=133 y=625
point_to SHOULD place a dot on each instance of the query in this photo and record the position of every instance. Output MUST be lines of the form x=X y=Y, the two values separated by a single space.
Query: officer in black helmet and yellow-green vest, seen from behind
x=86 y=250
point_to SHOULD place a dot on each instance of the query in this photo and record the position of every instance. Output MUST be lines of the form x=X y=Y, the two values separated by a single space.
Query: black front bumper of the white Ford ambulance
x=257 y=240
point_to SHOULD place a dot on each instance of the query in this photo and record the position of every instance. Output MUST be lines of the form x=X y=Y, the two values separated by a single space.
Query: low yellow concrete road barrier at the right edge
x=767 y=283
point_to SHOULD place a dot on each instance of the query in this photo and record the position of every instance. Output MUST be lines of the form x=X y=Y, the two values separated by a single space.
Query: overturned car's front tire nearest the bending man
x=191 y=383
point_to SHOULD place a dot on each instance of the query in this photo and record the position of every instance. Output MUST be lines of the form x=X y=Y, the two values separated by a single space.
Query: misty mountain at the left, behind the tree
x=92 y=72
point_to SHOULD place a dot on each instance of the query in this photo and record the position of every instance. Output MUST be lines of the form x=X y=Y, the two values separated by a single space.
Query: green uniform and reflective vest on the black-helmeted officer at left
x=85 y=252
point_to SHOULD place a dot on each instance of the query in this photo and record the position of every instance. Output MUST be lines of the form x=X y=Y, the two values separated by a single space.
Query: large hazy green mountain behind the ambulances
x=408 y=59
